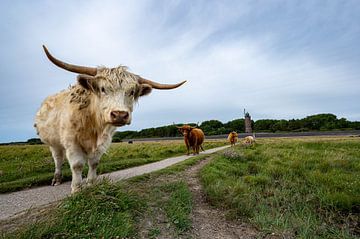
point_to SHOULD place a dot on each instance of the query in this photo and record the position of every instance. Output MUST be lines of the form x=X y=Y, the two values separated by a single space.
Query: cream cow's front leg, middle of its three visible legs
x=76 y=160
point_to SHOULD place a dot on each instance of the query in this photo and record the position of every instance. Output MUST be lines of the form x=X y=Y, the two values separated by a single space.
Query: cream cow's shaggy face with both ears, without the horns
x=114 y=98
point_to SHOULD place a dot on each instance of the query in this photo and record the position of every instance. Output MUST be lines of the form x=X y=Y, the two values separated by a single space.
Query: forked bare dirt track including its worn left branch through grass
x=207 y=221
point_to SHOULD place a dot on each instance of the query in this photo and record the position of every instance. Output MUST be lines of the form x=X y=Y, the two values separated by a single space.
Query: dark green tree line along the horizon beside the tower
x=319 y=122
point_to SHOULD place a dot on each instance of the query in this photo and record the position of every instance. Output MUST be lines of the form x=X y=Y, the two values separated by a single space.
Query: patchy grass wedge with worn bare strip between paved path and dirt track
x=117 y=210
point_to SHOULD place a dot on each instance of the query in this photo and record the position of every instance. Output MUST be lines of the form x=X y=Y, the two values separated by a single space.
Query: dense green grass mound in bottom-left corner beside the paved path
x=102 y=211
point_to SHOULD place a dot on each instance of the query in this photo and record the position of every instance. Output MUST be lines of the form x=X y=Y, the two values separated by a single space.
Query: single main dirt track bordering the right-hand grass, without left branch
x=209 y=222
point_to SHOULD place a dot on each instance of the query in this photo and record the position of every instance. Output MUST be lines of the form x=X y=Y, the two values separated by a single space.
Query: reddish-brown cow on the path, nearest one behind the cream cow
x=193 y=138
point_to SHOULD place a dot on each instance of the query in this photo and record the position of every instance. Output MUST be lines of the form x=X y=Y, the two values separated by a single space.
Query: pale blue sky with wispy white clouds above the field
x=278 y=59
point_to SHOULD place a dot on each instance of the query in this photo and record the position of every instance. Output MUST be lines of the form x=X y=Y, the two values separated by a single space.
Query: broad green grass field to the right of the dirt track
x=305 y=188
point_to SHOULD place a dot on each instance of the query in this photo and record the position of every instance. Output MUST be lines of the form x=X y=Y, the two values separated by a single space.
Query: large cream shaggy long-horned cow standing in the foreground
x=78 y=123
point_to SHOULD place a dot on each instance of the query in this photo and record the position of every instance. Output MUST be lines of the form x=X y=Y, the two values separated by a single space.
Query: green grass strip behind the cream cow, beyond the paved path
x=24 y=166
